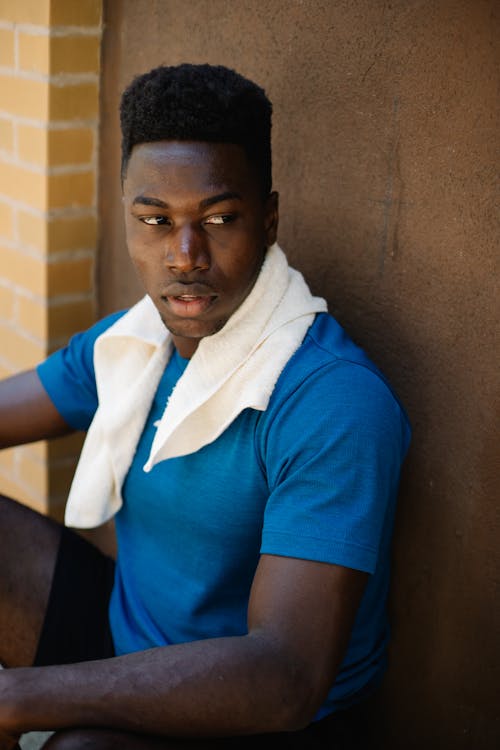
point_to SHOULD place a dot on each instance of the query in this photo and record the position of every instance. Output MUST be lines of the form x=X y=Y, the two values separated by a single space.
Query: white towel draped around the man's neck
x=233 y=369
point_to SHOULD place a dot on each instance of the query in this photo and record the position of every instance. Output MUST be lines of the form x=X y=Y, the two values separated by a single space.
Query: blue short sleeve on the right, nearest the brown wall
x=333 y=453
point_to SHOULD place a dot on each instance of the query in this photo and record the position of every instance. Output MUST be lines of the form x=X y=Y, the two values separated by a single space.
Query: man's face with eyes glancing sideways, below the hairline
x=197 y=230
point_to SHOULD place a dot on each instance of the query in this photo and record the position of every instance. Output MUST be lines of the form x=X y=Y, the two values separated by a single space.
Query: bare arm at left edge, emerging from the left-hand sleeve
x=26 y=411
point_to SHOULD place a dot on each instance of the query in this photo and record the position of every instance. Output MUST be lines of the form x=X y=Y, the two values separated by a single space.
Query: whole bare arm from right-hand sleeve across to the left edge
x=272 y=679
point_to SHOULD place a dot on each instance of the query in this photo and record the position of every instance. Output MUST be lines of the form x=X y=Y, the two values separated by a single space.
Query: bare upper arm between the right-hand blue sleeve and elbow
x=309 y=608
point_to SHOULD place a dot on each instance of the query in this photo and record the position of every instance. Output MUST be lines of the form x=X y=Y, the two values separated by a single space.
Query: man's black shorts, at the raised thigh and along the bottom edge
x=76 y=628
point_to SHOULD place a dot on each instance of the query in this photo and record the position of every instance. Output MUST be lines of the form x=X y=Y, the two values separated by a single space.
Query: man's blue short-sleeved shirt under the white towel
x=315 y=476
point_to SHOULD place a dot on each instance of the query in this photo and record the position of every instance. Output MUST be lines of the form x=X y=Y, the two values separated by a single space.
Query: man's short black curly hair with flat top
x=198 y=103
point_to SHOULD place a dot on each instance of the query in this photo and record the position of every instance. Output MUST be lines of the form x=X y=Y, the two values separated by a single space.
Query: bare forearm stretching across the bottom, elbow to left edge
x=215 y=687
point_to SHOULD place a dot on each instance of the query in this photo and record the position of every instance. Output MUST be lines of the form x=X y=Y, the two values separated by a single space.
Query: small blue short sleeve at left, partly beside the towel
x=69 y=379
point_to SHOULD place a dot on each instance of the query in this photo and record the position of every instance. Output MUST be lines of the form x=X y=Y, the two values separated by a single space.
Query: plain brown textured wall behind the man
x=385 y=143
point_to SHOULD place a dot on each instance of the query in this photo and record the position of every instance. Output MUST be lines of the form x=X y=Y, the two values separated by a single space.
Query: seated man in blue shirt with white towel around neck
x=248 y=451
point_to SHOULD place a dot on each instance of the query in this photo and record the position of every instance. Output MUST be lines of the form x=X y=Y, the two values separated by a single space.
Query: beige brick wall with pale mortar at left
x=49 y=98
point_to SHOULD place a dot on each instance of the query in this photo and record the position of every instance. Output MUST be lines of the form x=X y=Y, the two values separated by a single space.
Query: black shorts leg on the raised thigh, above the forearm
x=76 y=626
